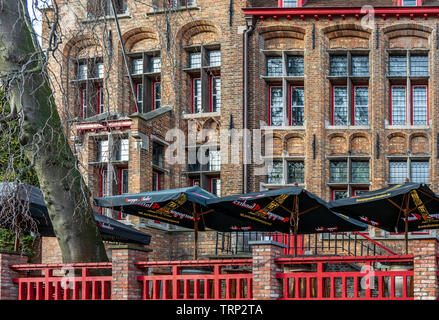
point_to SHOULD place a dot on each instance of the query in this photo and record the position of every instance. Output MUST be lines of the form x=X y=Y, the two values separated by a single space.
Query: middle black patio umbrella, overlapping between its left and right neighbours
x=289 y=210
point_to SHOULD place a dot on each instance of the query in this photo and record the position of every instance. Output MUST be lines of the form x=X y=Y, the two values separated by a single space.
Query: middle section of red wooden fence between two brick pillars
x=197 y=280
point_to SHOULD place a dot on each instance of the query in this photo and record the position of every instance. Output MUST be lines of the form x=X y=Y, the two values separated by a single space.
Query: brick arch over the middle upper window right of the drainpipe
x=341 y=36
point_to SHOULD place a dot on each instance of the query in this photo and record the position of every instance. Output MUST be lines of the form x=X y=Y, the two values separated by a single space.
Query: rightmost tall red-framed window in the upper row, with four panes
x=408 y=77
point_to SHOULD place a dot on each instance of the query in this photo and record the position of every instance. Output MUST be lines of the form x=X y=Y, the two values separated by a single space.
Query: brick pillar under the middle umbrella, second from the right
x=265 y=284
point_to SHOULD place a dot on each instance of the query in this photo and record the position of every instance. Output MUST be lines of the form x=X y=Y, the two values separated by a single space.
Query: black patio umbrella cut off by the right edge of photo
x=401 y=208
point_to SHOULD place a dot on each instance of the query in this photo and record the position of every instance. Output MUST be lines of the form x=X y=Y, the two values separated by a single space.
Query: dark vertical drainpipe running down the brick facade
x=250 y=28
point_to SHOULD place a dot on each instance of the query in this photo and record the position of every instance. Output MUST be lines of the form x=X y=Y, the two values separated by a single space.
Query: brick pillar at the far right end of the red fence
x=425 y=252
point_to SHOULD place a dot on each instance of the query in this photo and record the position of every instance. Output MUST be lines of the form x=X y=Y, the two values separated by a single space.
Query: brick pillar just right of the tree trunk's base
x=124 y=283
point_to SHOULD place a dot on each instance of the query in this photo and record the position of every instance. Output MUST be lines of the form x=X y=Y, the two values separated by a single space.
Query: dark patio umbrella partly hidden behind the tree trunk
x=110 y=229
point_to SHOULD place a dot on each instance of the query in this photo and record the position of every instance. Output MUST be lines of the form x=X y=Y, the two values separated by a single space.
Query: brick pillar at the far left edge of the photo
x=8 y=289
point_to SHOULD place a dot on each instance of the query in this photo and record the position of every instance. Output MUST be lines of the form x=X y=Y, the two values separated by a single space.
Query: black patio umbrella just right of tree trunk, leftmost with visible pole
x=184 y=207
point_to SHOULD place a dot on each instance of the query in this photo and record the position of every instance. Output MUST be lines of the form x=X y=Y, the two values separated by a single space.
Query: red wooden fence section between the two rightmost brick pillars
x=368 y=284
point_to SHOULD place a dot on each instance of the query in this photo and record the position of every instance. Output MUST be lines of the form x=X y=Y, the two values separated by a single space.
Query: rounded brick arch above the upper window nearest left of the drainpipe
x=198 y=33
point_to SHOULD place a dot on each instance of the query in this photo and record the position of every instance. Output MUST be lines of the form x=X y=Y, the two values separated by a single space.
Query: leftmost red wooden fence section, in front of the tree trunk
x=62 y=282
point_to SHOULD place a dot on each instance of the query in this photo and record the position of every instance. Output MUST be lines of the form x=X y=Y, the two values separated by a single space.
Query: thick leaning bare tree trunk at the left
x=43 y=139
